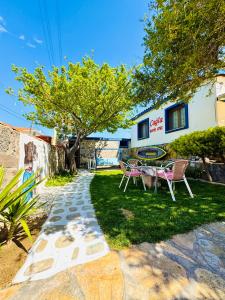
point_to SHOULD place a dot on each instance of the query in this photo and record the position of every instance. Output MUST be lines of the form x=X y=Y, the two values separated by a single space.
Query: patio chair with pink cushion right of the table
x=176 y=174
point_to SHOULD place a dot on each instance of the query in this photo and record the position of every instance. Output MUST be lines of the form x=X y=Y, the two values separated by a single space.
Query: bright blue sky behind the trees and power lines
x=113 y=29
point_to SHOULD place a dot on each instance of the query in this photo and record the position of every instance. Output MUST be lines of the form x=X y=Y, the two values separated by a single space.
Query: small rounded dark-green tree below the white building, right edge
x=205 y=144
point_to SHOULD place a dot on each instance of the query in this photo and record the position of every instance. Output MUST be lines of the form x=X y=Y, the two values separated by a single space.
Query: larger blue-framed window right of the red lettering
x=176 y=117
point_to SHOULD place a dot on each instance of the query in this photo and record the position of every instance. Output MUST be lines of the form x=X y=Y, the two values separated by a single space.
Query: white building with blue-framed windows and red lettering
x=160 y=126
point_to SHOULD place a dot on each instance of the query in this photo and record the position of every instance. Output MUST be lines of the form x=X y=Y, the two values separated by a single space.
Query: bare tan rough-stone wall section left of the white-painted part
x=9 y=151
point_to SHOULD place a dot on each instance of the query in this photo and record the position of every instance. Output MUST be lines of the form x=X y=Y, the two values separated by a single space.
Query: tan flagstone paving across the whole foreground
x=187 y=267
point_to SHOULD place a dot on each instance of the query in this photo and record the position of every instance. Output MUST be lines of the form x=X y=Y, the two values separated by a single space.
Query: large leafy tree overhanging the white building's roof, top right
x=184 y=48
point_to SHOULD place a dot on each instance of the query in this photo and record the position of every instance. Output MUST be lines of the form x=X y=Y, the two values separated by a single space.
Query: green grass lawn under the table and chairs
x=137 y=216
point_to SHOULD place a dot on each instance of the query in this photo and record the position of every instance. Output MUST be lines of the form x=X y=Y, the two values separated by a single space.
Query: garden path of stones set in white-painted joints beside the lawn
x=70 y=236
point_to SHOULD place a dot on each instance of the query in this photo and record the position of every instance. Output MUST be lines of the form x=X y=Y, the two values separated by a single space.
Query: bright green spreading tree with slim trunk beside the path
x=79 y=99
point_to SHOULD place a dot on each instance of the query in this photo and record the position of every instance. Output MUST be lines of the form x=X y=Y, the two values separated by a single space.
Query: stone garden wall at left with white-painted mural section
x=19 y=150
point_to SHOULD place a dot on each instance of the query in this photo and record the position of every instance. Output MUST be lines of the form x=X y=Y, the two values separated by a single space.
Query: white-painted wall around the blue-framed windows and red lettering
x=201 y=115
